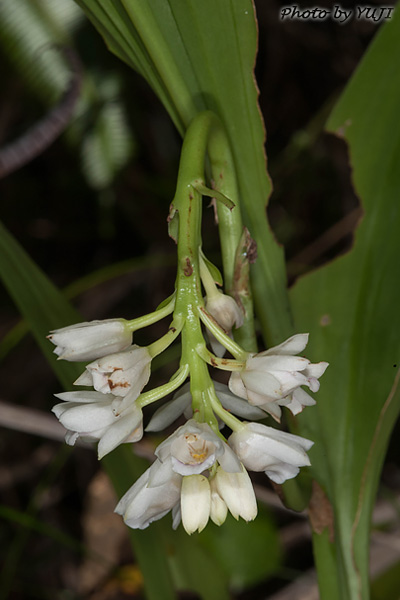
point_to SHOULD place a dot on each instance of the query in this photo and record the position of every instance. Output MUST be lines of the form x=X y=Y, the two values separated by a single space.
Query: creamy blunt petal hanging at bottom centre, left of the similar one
x=195 y=503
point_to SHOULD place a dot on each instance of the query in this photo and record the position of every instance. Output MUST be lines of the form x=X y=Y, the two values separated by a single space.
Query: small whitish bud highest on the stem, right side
x=226 y=312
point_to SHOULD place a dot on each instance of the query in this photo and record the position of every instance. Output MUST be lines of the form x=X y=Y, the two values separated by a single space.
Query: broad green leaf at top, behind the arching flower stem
x=198 y=56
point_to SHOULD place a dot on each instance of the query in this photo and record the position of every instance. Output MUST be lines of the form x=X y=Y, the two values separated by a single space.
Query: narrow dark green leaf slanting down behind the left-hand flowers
x=45 y=308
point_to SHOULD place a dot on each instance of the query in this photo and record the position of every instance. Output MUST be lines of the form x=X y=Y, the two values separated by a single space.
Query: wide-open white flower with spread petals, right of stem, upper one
x=273 y=378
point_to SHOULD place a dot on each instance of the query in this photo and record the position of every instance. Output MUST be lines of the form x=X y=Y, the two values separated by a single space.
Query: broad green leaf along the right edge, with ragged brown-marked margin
x=350 y=308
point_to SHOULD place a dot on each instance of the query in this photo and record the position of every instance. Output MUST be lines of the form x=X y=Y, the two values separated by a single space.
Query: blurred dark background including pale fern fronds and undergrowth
x=91 y=211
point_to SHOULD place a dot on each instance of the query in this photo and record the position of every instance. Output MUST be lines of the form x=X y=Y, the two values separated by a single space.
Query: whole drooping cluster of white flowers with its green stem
x=200 y=472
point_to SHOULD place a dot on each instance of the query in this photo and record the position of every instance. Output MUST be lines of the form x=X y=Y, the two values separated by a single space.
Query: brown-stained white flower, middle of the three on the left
x=120 y=374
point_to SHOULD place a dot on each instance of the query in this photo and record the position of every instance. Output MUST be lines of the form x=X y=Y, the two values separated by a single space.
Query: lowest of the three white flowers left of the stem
x=91 y=416
